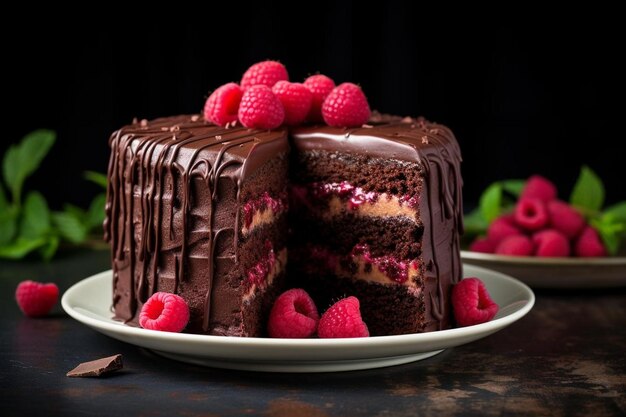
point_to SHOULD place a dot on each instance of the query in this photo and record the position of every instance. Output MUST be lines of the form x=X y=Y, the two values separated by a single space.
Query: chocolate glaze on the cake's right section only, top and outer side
x=434 y=149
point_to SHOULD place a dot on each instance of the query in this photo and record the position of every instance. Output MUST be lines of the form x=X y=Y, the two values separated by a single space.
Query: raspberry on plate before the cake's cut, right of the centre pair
x=343 y=319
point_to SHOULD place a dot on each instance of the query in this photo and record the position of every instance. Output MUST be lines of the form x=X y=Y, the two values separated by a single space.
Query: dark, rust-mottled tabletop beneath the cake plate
x=567 y=357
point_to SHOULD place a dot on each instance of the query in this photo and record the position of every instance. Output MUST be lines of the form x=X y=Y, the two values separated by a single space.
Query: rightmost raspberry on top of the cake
x=346 y=106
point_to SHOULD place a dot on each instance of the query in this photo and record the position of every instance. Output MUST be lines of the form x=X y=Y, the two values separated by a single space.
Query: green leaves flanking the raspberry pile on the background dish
x=587 y=196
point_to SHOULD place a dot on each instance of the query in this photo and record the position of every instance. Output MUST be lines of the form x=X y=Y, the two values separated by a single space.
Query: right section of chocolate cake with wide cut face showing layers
x=376 y=213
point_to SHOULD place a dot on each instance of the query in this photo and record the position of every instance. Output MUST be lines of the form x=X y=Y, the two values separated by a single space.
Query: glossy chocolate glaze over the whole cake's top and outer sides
x=175 y=195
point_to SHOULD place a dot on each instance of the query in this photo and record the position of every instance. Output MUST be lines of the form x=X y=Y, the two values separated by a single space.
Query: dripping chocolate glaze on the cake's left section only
x=173 y=207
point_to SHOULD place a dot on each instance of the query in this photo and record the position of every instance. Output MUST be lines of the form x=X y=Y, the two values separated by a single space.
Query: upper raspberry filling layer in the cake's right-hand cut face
x=331 y=199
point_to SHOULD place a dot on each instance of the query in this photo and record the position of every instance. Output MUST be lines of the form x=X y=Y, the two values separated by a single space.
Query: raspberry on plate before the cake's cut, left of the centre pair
x=293 y=315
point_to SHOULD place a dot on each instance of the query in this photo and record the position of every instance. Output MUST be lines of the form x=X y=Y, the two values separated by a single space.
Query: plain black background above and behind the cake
x=523 y=91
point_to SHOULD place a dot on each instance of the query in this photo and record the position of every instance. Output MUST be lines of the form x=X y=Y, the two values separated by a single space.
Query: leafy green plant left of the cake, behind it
x=26 y=222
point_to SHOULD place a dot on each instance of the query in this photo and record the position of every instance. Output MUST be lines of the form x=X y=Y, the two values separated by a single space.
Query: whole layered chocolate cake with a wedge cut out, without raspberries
x=203 y=211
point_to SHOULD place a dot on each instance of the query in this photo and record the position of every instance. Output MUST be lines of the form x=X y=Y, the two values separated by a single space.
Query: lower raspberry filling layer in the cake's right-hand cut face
x=361 y=264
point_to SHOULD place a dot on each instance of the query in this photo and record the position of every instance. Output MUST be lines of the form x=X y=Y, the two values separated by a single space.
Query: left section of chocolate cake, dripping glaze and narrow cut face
x=200 y=211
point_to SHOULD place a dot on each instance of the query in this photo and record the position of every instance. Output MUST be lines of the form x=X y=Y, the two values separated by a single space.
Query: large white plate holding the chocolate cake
x=89 y=302
